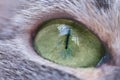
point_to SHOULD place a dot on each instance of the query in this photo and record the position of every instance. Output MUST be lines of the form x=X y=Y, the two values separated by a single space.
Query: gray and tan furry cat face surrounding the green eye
x=19 y=20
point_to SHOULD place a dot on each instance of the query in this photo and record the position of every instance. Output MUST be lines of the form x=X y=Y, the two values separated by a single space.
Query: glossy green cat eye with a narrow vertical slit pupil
x=68 y=43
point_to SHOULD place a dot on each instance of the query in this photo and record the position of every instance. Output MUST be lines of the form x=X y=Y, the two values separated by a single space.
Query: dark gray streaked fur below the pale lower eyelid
x=13 y=67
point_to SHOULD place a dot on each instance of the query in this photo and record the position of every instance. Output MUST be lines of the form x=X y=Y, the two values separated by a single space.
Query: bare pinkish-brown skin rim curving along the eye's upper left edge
x=50 y=16
